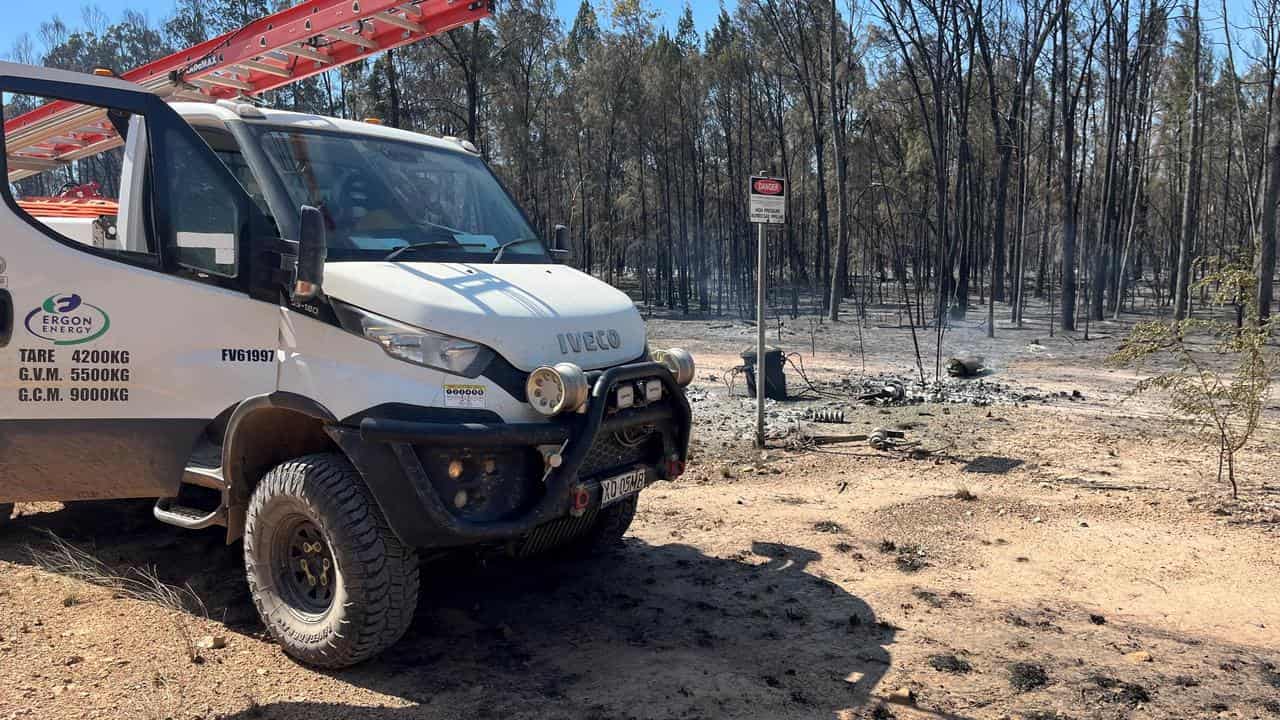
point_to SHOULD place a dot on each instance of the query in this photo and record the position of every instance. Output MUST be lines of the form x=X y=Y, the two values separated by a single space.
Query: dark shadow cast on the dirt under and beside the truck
x=643 y=631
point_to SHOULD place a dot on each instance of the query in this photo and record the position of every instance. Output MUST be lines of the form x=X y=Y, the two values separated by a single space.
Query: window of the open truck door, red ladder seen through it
x=86 y=177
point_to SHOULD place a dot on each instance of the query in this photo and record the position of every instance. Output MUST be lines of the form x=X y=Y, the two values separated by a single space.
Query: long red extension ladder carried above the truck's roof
x=281 y=49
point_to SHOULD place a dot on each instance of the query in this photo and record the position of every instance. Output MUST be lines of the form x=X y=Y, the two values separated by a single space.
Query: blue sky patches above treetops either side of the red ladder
x=25 y=17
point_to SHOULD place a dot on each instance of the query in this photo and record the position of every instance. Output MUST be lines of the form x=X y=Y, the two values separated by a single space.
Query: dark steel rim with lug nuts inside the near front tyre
x=305 y=572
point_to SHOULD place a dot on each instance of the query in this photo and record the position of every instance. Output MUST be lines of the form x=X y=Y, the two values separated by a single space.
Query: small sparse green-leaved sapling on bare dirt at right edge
x=1218 y=375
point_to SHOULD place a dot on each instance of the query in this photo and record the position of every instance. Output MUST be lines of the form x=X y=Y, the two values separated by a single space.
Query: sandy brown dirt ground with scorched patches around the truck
x=1050 y=550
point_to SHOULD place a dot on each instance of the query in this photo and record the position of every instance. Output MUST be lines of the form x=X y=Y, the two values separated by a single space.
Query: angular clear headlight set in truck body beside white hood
x=418 y=347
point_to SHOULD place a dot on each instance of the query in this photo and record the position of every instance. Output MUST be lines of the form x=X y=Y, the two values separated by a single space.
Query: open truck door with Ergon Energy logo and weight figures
x=126 y=320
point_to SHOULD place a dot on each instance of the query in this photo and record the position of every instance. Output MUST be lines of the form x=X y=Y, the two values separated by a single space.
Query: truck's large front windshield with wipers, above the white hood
x=381 y=197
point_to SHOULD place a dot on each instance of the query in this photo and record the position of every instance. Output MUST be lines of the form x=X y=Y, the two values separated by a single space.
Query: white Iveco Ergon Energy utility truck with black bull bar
x=342 y=343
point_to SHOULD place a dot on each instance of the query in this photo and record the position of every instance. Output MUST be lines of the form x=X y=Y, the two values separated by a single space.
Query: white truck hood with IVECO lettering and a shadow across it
x=531 y=315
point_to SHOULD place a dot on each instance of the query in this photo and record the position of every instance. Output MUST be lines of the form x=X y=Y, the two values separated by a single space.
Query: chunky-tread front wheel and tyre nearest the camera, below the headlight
x=321 y=504
